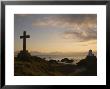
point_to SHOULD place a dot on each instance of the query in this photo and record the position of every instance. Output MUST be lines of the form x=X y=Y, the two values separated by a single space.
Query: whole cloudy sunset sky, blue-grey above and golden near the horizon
x=56 y=32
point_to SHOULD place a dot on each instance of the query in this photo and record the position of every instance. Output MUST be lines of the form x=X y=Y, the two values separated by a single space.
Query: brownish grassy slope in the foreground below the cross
x=40 y=67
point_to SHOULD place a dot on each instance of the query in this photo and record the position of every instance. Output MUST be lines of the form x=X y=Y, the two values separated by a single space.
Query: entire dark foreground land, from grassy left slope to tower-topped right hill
x=36 y=66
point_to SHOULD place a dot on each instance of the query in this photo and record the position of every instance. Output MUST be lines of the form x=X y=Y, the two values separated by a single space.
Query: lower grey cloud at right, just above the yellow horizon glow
x=84 y=35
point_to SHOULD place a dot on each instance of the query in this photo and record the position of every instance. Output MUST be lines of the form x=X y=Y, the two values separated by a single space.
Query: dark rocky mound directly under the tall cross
x=24 y=55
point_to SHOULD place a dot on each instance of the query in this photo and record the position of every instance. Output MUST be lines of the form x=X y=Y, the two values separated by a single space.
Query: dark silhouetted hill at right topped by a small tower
x=90 y=63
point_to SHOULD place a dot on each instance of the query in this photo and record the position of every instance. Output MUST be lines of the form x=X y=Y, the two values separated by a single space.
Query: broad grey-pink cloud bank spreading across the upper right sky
x=79 y=27
